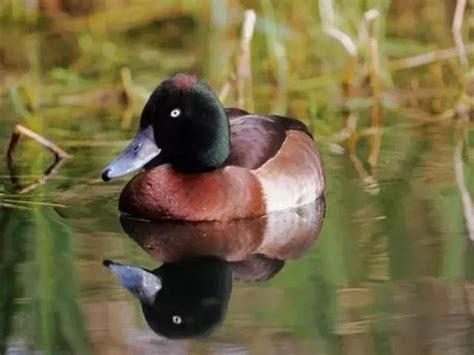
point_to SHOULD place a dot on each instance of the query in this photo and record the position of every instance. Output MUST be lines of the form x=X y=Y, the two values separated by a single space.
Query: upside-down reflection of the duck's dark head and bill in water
x=179 y=300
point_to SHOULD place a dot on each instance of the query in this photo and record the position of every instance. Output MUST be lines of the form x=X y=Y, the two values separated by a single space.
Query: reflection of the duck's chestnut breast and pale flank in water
x=281 y=235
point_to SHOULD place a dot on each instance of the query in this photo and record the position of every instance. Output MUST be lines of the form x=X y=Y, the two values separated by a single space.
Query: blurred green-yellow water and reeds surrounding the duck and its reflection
x=387 y=88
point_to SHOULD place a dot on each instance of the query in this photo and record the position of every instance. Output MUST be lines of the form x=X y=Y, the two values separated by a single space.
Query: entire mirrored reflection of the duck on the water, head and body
x=187 y=296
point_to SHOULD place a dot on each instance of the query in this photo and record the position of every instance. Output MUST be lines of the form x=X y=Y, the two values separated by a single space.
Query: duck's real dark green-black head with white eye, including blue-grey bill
x=183 y=124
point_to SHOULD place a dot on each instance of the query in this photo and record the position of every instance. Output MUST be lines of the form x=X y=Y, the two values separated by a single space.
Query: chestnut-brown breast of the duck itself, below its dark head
x=228 y=193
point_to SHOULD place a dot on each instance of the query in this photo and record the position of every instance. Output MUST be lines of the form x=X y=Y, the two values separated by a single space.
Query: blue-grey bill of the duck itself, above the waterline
x=141 y=150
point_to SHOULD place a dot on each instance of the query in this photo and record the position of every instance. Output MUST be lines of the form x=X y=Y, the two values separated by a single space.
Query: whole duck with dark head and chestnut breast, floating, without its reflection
x=198 y=161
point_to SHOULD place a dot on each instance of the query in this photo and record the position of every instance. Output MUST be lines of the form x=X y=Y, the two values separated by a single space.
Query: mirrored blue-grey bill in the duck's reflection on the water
x=140 y=282
